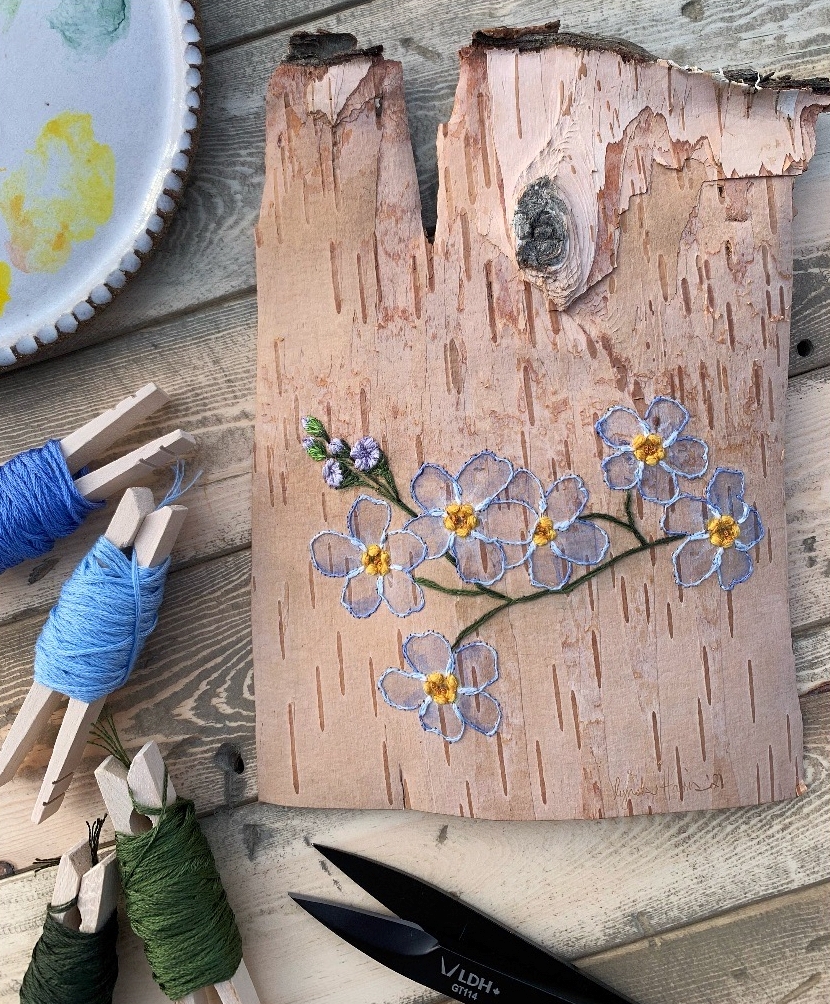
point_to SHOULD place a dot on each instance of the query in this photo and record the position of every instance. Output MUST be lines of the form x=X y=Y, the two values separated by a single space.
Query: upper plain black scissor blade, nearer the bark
x=463 y=930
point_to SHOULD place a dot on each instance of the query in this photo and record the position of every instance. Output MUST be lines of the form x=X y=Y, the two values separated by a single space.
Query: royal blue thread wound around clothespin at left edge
x=39 y=505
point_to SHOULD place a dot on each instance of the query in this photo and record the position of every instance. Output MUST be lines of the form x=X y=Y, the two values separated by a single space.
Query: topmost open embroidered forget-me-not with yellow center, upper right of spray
x=650 y=453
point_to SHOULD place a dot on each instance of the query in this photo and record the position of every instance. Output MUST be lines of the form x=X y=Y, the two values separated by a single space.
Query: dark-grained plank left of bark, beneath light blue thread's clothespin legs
x=192 y=691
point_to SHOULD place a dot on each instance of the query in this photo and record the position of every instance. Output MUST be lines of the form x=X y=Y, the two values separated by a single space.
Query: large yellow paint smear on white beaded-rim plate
x=62 y=193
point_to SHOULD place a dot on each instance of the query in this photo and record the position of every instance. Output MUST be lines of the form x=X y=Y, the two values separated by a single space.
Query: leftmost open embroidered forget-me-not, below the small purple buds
x=378 y=566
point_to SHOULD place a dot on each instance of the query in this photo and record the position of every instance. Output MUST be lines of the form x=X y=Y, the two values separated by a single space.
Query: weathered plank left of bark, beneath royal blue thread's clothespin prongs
x=206 y=364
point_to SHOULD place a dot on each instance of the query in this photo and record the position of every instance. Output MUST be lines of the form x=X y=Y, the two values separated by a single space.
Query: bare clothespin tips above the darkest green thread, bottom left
x=90 y=891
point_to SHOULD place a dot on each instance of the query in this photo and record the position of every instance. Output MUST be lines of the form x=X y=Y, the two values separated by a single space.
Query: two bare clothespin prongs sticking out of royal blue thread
x=91 y=441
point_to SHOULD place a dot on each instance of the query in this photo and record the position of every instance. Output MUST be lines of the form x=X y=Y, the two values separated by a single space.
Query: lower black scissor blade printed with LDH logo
x=410 y=951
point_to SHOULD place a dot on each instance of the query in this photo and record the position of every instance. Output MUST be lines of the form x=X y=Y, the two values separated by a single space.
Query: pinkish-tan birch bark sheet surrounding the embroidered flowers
x=654 y=211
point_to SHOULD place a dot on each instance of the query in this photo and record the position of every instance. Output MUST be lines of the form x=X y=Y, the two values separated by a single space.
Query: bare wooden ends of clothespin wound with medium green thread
x=146 y=782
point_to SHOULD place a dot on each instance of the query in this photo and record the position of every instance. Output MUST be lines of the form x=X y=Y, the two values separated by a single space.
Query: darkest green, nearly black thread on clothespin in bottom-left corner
x=70 y=967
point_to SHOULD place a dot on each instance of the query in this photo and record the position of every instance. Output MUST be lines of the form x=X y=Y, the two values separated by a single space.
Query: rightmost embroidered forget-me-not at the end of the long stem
x=721 y=532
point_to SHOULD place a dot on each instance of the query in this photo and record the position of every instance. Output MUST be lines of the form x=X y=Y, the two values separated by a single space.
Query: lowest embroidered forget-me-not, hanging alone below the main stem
x=448 y=689
